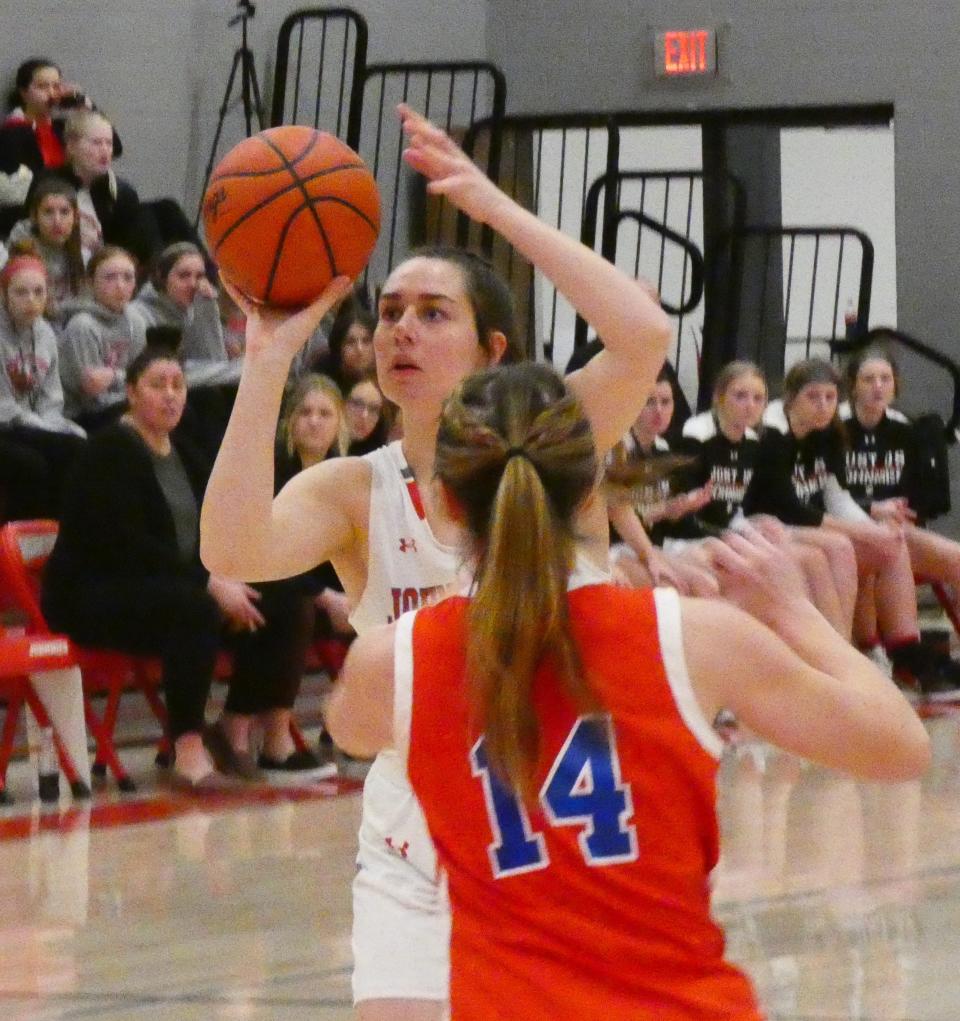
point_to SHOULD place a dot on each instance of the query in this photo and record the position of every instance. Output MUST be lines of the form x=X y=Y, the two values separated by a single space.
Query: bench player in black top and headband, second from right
x=801 y=479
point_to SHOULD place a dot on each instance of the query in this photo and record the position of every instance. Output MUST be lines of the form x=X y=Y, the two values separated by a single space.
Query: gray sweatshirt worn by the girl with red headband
x=31 y=394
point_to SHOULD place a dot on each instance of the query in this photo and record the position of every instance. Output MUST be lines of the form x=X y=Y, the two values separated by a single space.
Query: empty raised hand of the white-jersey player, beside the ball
x=450 y=171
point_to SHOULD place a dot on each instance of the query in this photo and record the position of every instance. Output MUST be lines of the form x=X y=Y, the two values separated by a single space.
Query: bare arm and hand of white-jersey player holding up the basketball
x=244 y=532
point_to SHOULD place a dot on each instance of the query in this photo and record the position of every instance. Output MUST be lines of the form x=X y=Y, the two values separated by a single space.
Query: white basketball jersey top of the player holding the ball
x=407 y=567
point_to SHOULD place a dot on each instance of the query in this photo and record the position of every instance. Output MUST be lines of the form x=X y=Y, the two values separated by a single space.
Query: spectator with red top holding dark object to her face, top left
x=32 y=135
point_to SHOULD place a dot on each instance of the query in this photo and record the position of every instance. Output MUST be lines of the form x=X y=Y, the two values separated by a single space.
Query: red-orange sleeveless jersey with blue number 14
x=595 y=903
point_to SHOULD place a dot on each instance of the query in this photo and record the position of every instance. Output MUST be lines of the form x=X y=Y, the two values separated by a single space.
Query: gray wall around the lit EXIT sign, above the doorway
x=571 y=56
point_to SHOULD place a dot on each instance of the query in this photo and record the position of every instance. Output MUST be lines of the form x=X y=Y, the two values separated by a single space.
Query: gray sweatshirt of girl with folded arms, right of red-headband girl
x=97 y=338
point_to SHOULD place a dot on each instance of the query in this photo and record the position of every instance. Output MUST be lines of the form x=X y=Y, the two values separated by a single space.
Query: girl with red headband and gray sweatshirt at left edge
x=31 y=394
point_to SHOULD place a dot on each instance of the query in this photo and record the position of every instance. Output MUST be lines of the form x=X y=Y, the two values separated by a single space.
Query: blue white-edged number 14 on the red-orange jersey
x=583 y=789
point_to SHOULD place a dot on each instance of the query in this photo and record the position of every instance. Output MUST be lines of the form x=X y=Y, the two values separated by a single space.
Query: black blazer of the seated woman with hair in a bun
x=116 y=522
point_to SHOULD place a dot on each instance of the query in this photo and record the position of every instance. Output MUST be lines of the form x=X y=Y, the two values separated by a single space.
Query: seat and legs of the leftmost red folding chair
x=22 y=656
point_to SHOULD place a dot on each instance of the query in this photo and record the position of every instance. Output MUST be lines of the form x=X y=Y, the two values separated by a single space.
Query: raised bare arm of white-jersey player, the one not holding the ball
x=634 y=328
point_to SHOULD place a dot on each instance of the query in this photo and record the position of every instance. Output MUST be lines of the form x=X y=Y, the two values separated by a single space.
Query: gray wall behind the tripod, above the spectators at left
x=159 y=68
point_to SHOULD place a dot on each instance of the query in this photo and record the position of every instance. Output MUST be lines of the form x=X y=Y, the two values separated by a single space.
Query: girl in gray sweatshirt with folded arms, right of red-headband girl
x=103 y=336
